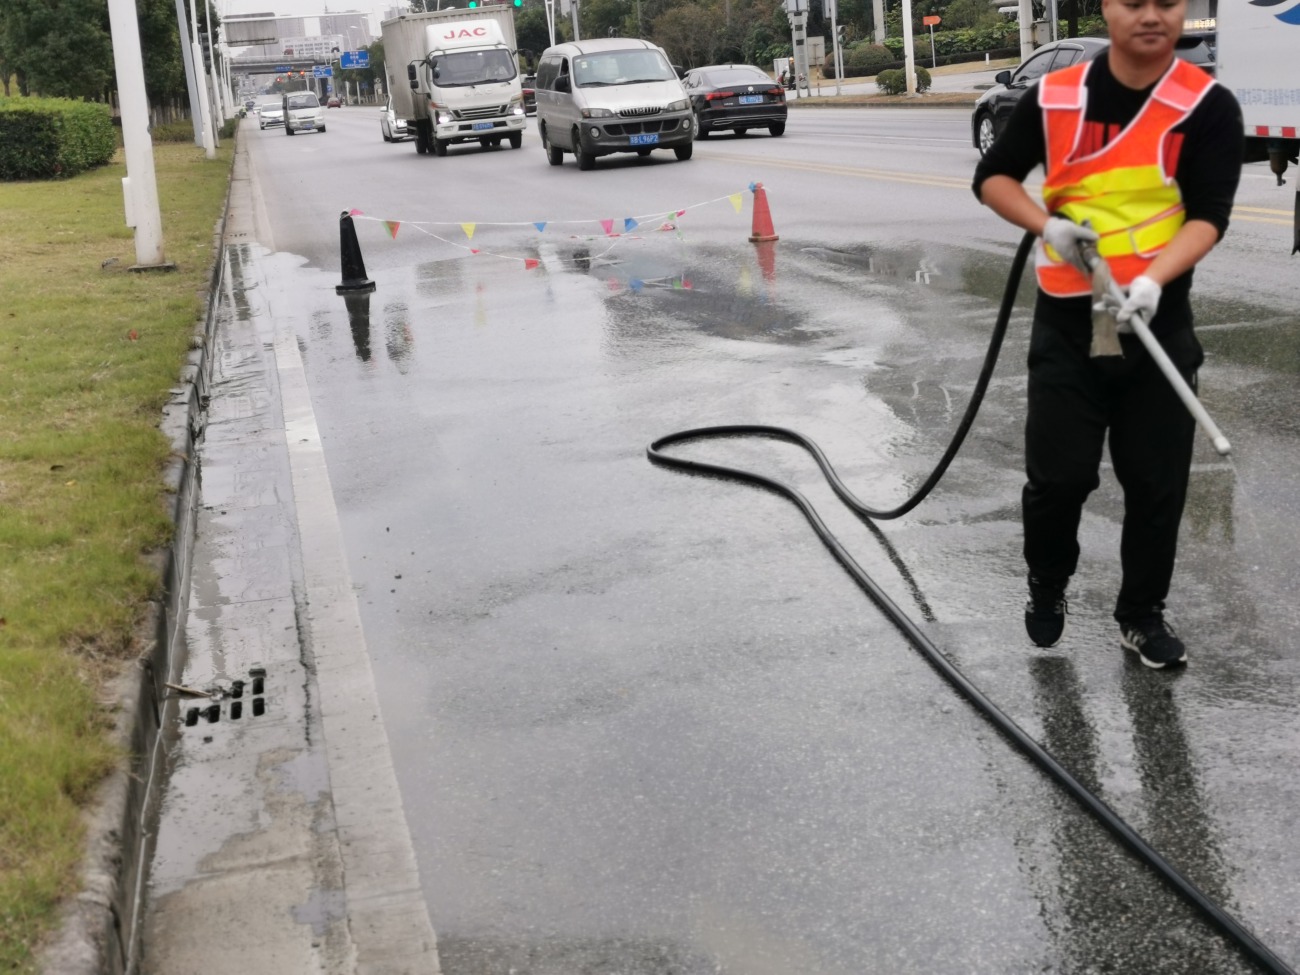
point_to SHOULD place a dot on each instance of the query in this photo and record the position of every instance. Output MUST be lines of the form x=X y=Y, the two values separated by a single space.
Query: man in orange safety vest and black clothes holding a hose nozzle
x=1142 y=154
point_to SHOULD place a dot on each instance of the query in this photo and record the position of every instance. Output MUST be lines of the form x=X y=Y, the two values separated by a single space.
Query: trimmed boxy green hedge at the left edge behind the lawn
x=54 y=138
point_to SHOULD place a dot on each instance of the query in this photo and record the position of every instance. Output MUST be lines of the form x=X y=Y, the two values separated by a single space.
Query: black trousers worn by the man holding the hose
x=1073 y=402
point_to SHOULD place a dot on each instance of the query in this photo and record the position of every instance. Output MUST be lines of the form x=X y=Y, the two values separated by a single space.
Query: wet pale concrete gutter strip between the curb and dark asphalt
x=283 y=844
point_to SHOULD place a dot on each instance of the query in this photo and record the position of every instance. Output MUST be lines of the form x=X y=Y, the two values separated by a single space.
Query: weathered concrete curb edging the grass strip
x=99 y=928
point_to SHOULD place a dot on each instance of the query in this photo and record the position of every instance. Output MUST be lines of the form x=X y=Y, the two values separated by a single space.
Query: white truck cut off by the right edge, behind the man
x=1258 y=49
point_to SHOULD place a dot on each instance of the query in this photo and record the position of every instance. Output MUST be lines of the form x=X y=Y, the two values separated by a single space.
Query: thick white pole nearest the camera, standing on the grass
x=141 y=184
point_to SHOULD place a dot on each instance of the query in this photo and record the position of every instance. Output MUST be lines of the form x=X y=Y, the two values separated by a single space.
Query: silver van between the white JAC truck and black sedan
x=612 y=96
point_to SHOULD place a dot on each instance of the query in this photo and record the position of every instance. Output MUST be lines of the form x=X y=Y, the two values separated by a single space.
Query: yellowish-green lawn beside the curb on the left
x=88 y=354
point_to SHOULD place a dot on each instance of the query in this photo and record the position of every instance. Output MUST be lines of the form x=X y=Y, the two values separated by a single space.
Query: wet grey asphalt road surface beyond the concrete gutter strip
x=643 y=722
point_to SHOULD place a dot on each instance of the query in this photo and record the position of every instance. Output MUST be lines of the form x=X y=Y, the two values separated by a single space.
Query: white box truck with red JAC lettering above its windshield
x=454 y=77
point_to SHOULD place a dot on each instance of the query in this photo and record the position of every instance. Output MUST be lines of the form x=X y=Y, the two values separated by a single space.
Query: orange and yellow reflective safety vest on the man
x=1126 y=190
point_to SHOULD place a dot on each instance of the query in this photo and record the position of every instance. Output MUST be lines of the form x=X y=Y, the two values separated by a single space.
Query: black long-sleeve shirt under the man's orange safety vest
x=1210 y=145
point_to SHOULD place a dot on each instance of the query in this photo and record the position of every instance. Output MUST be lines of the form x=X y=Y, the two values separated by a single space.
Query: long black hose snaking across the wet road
x=1225 y=922
